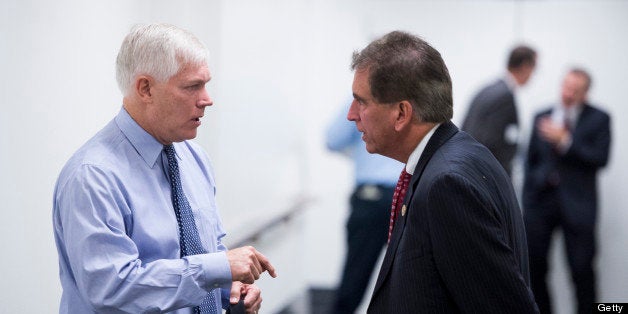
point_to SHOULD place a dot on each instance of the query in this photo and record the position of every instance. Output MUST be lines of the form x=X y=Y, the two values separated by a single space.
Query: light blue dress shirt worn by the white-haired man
x=116 y=230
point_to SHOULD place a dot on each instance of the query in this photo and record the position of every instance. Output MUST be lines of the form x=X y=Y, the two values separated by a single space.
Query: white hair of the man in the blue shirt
x=156 y=50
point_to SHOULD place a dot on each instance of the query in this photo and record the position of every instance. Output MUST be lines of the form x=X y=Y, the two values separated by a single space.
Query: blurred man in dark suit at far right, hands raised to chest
x=568 y=146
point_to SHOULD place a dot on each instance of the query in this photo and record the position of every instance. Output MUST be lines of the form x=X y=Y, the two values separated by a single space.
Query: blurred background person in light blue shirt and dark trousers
x=367 y=226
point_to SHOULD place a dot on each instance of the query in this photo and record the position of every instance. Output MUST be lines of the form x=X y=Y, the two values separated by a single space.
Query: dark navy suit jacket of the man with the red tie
x=461 y=245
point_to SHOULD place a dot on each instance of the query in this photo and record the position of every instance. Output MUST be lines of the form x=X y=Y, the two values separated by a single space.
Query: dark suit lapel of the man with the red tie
x=444 y=132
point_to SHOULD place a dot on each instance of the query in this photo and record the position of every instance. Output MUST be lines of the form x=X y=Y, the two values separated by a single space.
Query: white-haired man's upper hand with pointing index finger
x=247 y=264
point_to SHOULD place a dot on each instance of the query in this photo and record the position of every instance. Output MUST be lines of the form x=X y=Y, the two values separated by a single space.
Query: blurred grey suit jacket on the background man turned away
x=490 y=113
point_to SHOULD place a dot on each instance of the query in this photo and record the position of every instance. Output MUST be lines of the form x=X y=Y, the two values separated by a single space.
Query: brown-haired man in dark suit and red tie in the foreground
x=457 y=241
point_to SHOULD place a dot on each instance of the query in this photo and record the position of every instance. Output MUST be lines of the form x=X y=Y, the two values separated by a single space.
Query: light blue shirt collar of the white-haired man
x=144 y=143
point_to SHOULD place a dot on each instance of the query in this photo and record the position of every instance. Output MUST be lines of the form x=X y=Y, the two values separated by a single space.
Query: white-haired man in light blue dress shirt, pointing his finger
x=114 y=220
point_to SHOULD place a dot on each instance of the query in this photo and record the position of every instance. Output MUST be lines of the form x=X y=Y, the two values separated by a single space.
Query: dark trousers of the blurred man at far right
x=578 y=232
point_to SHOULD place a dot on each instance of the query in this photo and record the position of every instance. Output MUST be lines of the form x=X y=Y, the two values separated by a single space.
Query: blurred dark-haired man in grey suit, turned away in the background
x=492 y=117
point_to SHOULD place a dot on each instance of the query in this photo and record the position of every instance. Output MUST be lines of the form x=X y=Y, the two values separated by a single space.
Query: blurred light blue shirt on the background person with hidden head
x=343 y=136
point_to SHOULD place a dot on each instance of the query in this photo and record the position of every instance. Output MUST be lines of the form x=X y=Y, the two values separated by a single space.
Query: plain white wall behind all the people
x=281 y=70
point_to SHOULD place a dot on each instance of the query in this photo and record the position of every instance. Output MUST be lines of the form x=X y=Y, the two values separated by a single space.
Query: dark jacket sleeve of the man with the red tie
x=471 y=252
